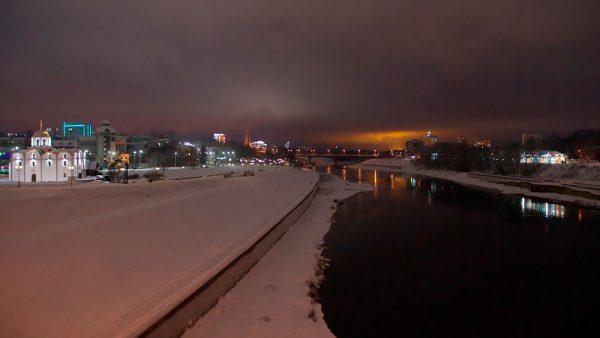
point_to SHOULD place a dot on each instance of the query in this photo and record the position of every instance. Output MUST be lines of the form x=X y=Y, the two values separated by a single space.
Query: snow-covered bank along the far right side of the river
x=406 y=166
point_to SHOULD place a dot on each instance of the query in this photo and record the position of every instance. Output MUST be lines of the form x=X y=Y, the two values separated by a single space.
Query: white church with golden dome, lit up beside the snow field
x=42 y=163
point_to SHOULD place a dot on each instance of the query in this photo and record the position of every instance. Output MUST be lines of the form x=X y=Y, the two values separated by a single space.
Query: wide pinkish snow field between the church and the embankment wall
x=101 y=259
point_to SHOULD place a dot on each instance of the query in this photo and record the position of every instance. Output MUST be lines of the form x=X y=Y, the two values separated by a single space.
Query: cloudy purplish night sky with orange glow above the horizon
x=369 y=72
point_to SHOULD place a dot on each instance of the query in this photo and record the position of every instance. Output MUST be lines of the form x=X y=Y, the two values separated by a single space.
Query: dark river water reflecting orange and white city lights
x=421 y=257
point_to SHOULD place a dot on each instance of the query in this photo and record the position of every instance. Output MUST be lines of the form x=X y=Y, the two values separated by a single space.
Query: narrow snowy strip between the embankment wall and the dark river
x=272 y=299
